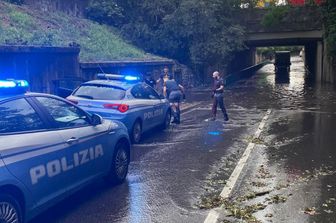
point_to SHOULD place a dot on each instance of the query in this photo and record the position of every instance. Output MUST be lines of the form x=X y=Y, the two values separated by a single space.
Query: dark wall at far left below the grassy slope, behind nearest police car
x=41 y=66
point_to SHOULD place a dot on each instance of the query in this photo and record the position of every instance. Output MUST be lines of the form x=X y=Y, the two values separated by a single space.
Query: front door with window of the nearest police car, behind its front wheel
x=88 y=150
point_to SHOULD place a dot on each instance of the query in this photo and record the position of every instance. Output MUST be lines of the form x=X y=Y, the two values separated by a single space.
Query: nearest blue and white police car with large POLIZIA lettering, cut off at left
x=50 y=148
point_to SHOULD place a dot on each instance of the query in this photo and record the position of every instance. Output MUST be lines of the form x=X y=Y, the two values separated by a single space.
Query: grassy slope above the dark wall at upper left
x=23 y=26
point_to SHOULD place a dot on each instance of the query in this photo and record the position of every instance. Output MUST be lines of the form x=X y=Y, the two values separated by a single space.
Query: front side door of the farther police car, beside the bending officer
x=158 y=108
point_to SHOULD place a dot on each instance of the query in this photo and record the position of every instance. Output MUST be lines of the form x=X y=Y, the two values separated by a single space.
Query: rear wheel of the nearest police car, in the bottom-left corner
x=10 y=209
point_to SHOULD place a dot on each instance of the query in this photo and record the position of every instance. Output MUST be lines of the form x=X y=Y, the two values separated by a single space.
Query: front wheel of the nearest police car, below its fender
x=119 y=165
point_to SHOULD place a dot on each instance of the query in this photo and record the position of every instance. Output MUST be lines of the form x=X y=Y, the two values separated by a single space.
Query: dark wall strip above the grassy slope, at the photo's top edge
x=70 y=7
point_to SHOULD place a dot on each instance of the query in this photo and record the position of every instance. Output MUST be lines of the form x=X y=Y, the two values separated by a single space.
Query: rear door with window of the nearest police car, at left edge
x=30 y=149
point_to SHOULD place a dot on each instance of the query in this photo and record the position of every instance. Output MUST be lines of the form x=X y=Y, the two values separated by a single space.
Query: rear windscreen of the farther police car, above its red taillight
x=100 y=92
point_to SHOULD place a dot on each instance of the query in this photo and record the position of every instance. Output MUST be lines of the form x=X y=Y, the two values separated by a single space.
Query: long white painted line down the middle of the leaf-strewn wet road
x=213 y=214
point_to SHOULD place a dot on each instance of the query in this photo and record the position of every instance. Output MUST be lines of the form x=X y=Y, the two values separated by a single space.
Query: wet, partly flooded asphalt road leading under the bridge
x=172 y=170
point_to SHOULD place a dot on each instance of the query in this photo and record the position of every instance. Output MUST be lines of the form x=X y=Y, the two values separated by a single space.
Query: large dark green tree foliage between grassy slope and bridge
x=195 y=32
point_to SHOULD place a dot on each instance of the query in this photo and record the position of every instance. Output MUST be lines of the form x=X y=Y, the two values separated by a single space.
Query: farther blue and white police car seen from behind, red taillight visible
x=124 y=98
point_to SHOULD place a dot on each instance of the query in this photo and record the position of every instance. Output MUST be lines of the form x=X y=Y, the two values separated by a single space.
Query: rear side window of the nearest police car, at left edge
x=19 y=116
